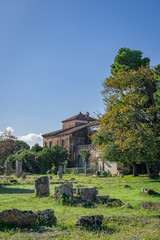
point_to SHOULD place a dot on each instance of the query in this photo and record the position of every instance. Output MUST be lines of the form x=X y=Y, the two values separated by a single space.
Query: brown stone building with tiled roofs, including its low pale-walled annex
x=75 y=135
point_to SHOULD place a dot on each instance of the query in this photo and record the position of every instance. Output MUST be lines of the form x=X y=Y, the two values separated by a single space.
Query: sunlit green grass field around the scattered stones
x=20 y=195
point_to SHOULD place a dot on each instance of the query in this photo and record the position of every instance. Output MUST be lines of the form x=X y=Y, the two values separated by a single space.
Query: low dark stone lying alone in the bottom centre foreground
x=92 y=221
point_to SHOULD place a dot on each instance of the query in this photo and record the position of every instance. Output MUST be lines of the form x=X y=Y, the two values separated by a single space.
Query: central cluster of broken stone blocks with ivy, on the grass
x=84 y=196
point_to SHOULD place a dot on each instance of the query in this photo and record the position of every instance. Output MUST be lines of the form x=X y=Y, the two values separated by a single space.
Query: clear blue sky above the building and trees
x=54 y=55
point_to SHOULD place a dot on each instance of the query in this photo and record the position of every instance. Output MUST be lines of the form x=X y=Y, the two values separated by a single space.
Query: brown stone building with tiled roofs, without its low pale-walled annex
x=76 y=131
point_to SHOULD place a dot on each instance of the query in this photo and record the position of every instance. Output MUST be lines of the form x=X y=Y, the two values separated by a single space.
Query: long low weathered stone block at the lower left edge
x=15 y=217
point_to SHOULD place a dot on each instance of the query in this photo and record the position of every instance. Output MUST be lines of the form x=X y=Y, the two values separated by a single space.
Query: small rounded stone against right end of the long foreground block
x=46 y=217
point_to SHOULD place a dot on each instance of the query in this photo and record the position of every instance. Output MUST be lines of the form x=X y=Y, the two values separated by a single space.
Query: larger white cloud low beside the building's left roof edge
x=31 y=139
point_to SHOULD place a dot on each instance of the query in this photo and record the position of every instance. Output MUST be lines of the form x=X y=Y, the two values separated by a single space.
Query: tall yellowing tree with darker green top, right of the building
x=129 y=130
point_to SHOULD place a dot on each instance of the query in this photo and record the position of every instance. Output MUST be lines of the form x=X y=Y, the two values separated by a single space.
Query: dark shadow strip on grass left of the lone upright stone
x=4 y=190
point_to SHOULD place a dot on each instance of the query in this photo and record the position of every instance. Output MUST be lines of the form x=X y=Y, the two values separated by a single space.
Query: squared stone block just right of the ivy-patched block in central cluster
x=87 y=193
